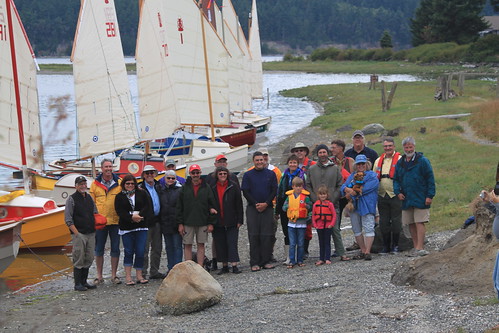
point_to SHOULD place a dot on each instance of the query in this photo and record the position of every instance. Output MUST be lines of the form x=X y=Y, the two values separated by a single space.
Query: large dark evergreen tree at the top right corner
x=438 y=21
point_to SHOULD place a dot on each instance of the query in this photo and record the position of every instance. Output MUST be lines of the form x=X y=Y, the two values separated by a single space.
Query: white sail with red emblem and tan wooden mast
x=185 y=24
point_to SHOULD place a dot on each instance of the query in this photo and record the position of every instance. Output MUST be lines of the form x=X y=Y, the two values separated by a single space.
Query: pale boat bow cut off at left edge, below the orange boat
x=9 y=242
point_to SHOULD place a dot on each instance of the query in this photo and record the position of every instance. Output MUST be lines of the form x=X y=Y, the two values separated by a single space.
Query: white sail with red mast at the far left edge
x=12 y=35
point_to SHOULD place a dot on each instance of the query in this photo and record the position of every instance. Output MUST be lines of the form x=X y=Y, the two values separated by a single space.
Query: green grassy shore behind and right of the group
x=462 y=167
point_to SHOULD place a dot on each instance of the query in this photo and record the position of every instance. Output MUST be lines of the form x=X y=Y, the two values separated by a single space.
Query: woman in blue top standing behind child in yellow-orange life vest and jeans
x=285 y=185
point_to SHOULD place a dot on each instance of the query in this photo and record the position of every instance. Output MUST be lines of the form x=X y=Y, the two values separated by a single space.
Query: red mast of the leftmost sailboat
x=18 y=98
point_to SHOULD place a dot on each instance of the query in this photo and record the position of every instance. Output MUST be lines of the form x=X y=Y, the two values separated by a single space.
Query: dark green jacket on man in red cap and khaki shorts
x=193 y=210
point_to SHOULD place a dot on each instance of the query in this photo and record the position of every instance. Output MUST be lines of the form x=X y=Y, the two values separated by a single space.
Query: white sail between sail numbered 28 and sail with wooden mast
x=157 y=102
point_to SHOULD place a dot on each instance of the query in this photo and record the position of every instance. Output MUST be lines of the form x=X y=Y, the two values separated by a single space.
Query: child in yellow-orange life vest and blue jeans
x=297 y=206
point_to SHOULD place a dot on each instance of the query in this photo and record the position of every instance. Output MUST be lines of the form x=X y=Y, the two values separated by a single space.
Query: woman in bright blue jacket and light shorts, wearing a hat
x=363 y=215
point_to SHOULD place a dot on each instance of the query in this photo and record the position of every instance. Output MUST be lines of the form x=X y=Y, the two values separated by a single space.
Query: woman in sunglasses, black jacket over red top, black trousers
x=229 y=205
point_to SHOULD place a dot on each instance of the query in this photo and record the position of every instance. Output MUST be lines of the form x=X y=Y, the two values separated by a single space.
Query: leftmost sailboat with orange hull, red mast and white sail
x=20 y=135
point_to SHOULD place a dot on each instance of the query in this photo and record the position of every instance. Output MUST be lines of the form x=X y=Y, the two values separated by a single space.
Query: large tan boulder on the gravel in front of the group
x=187 y=288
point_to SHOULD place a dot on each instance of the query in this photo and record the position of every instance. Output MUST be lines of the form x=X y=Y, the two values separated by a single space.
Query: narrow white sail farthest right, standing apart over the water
x=256 y=54
